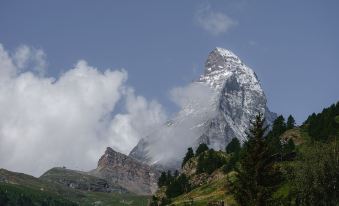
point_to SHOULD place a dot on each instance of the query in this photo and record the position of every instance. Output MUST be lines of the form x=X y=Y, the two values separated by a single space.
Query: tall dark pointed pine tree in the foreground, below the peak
x=257 y=178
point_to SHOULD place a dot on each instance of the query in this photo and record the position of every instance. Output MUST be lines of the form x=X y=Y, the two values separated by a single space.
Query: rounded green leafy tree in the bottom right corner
x=316 y=176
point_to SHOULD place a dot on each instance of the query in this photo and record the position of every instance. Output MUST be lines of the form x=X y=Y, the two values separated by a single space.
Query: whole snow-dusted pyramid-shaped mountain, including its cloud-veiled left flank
x=224 y=100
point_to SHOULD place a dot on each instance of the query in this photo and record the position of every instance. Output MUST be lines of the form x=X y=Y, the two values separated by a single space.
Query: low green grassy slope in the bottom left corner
x=40 y=192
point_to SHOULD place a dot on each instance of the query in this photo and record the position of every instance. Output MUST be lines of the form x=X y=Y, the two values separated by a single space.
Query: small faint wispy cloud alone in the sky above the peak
x=214 y=22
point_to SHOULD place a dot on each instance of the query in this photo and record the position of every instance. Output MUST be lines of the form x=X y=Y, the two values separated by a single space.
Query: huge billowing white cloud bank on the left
x=47 y=122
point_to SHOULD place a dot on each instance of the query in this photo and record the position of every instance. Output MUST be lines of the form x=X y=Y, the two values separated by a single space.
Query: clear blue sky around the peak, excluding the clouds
x=293 y=46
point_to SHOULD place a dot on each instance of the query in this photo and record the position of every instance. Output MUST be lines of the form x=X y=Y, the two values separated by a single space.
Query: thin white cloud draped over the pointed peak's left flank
x=170 y=142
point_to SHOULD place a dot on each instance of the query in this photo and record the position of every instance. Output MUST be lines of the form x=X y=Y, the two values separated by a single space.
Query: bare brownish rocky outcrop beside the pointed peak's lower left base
x=120 y=169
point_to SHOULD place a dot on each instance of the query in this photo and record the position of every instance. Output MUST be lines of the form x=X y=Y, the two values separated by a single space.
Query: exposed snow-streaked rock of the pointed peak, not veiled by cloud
x=240 y=98
